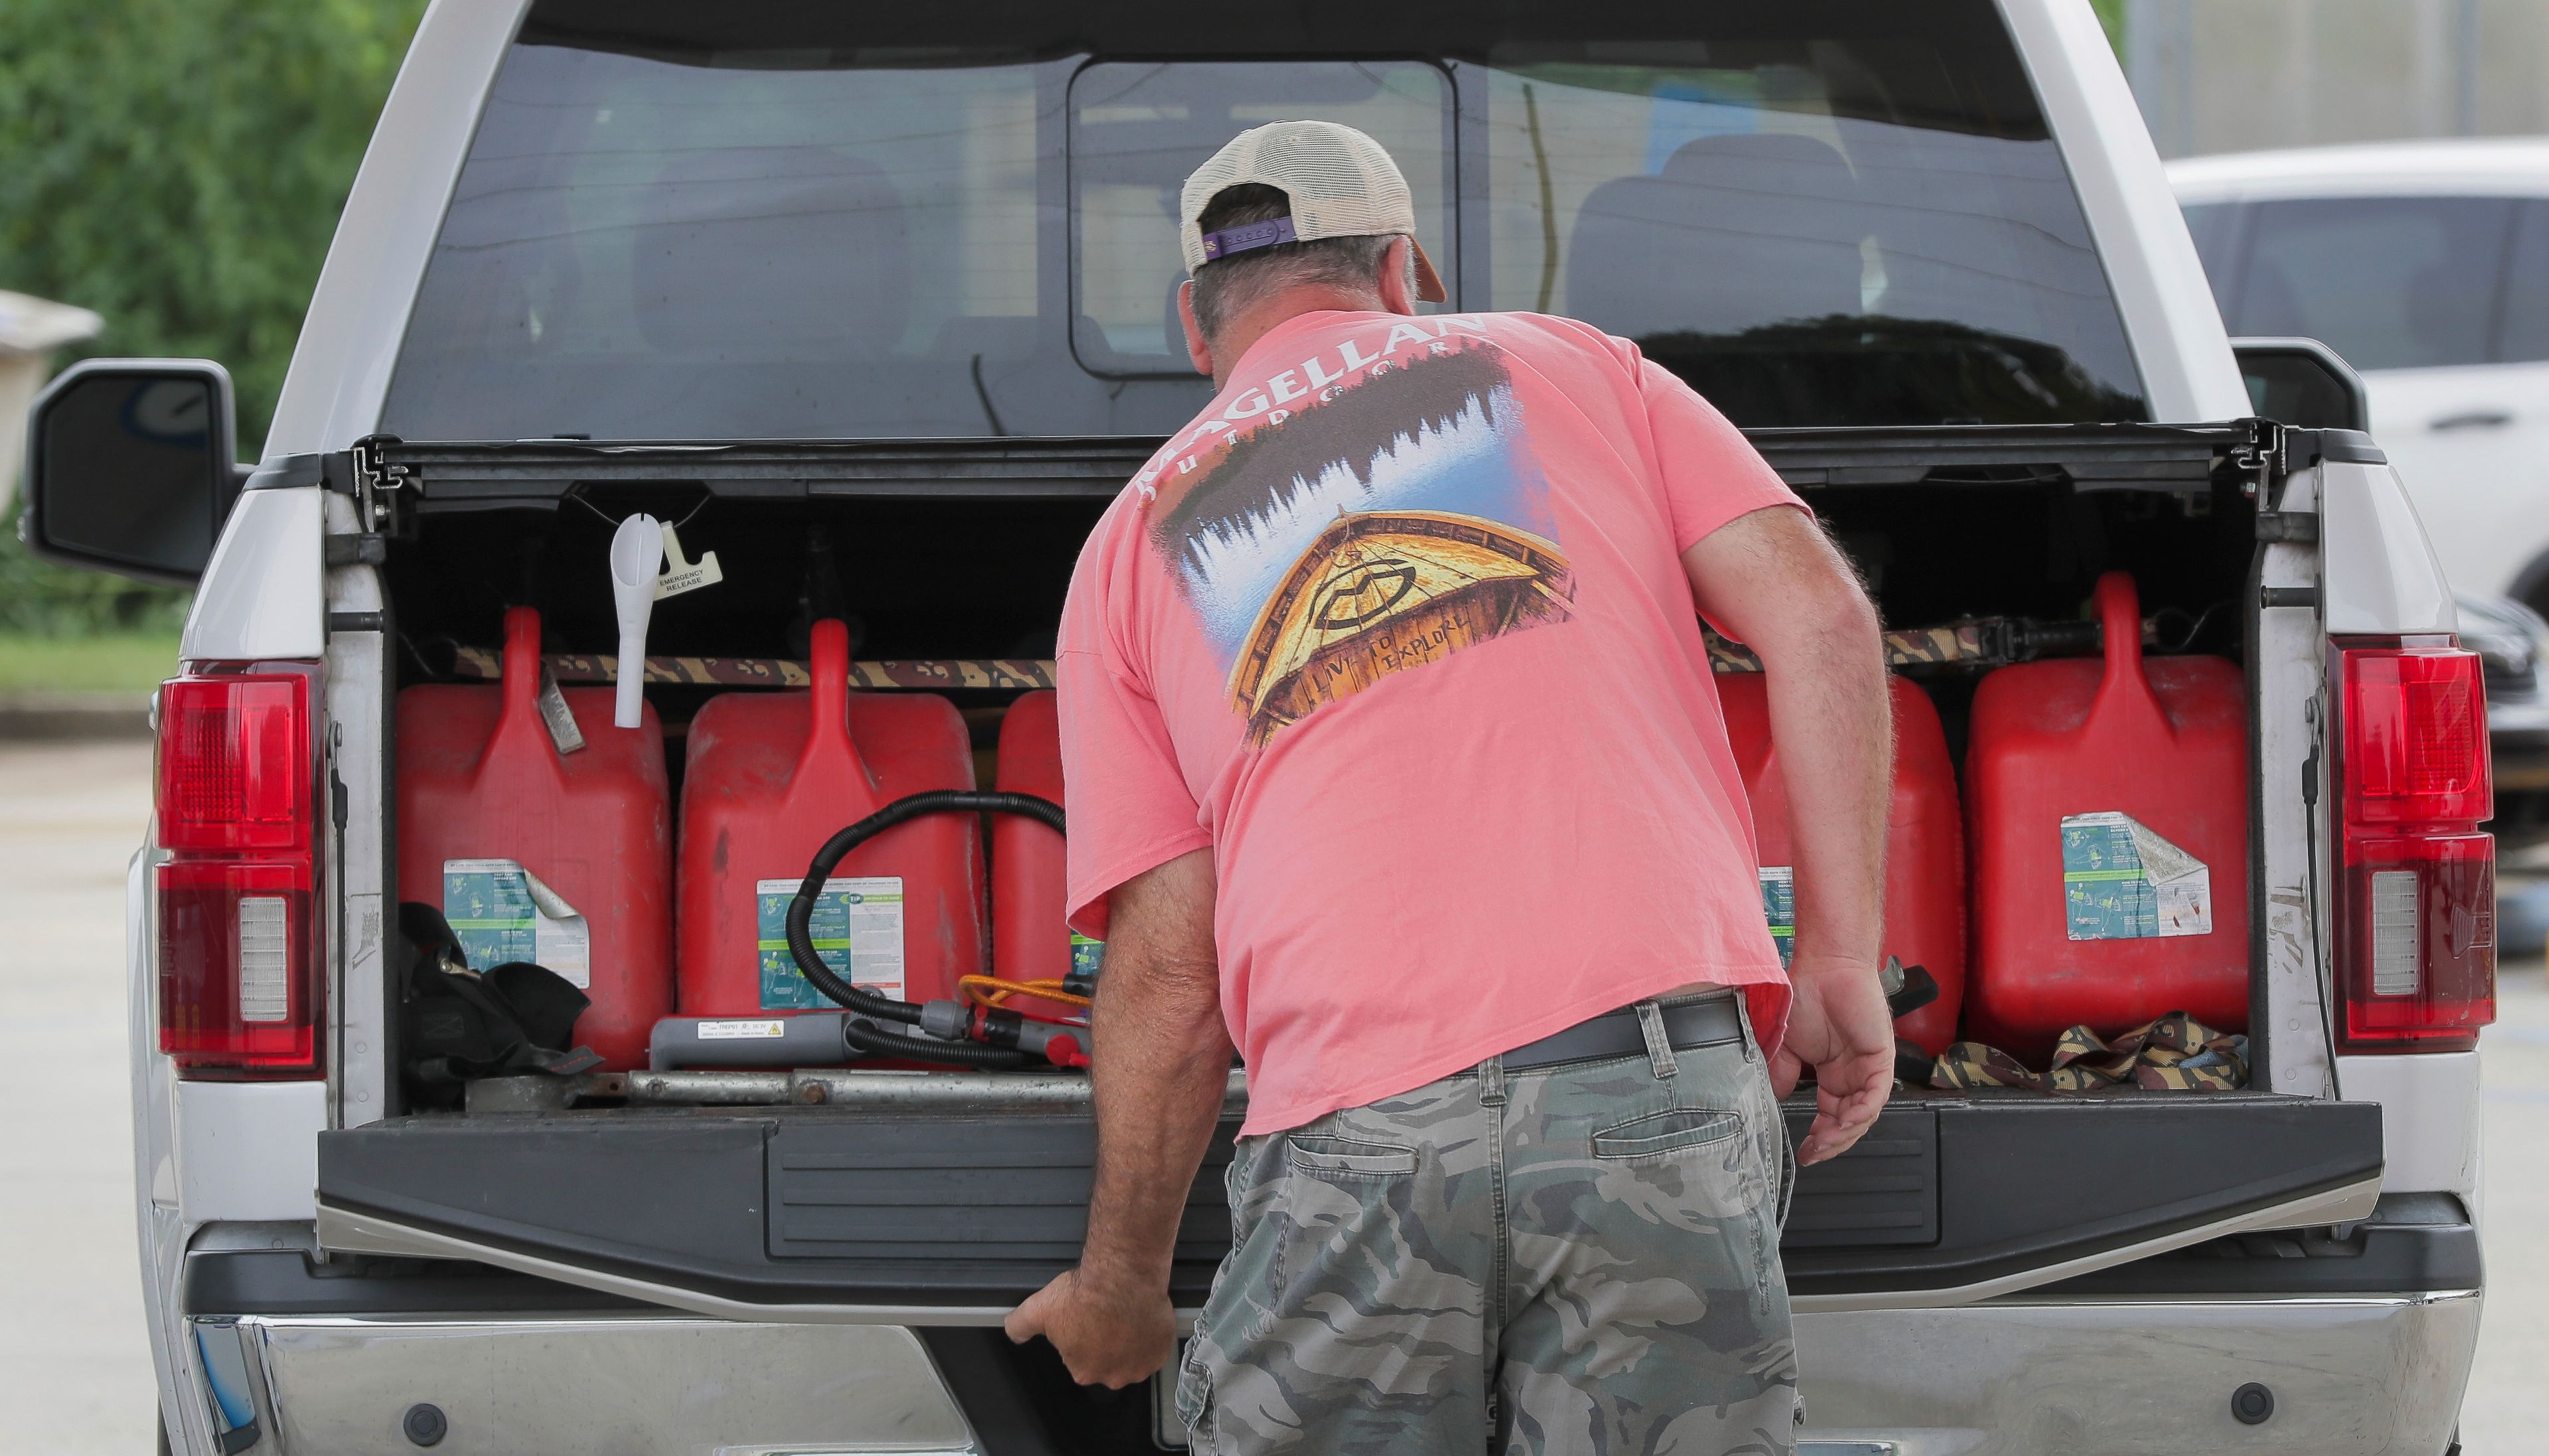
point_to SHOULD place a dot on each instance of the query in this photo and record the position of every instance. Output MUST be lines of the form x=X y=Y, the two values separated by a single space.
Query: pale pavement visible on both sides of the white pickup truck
x=75 y=1363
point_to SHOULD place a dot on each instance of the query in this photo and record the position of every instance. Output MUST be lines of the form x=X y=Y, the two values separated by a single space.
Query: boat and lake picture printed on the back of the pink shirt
x=1390 y=521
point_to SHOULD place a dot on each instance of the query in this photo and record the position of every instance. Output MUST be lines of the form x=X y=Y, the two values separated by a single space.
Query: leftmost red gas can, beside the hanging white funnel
x=480 y=782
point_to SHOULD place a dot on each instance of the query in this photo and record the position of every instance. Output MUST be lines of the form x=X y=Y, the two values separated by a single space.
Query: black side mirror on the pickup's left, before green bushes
x=131 y=468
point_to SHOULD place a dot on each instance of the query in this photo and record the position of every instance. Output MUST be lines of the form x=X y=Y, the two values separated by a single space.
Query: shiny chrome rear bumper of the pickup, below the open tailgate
x=2091 y=1378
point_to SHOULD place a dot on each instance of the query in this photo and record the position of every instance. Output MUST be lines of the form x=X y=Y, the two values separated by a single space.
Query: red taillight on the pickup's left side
x=238 y=932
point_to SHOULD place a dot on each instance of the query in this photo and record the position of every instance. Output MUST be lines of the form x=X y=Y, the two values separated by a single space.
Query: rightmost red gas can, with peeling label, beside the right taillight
x=2109 y=812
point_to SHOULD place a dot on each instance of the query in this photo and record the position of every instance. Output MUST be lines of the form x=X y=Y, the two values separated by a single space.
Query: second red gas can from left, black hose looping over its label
x=766 y=784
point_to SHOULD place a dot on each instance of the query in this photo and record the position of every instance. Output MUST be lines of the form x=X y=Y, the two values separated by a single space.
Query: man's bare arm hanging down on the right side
x=1778 y=585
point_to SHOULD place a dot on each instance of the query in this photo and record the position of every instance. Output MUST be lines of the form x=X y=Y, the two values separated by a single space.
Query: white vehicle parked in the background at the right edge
x=2428 y=269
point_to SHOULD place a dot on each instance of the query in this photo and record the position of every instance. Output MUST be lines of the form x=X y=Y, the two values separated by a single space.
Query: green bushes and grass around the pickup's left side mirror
x=180 y=170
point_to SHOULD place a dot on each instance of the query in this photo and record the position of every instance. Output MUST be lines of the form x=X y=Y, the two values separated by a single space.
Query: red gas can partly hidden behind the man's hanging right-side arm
x=1926 y=843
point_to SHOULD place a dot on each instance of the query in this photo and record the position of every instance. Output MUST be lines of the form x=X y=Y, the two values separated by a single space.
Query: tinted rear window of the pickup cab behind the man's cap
x=827 y=223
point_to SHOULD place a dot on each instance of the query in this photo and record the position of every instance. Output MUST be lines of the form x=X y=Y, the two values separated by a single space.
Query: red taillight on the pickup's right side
x=2418 y=886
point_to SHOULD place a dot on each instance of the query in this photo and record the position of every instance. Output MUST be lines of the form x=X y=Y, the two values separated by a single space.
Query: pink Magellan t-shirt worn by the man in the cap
x=1401 y=631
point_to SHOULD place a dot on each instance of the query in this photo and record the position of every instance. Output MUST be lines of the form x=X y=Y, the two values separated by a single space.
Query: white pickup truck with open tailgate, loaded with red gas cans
x=876 y=305
